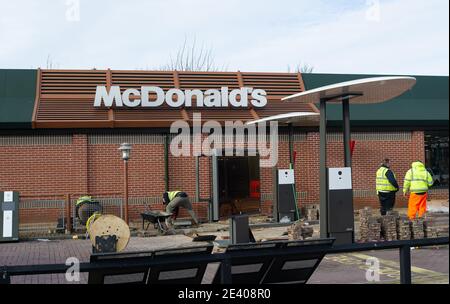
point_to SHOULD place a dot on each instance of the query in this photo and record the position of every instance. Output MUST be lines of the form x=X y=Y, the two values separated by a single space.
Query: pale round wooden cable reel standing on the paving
x=106 y=225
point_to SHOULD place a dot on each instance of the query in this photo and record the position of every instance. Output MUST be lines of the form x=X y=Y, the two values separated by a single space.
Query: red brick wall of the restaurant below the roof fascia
x=78 y=165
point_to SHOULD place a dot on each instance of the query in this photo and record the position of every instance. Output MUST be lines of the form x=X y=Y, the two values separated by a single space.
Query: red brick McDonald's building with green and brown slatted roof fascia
x=55 y=146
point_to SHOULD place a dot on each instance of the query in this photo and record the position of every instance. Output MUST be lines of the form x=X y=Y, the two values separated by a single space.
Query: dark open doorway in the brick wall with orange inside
x=239 y=185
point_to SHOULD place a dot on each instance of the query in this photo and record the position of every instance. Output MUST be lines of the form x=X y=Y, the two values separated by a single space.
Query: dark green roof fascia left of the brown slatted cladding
x=17 y=96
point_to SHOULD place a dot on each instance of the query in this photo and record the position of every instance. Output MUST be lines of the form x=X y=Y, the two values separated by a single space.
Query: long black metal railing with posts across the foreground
x=6 y=272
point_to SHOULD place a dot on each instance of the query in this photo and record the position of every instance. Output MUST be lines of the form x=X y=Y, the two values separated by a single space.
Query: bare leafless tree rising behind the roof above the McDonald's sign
x=191 y=58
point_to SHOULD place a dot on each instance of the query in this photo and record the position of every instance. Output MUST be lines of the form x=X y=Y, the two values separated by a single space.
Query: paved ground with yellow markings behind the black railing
x=430 y=265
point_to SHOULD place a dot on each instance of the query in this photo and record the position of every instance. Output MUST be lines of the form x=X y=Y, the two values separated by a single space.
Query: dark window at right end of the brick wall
x=436 y=157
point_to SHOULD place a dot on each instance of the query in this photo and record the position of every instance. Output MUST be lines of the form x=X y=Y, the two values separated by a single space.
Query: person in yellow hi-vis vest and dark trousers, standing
x=387 y=187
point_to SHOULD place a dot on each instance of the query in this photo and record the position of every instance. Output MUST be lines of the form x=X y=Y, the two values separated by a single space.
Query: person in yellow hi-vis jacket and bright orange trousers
x=417 y=181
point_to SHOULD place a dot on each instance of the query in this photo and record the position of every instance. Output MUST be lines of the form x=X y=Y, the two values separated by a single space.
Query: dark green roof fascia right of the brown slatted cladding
x=426 y=104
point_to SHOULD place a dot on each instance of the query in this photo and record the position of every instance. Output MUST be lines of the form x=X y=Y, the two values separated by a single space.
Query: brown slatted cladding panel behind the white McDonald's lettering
x=66 y=97
